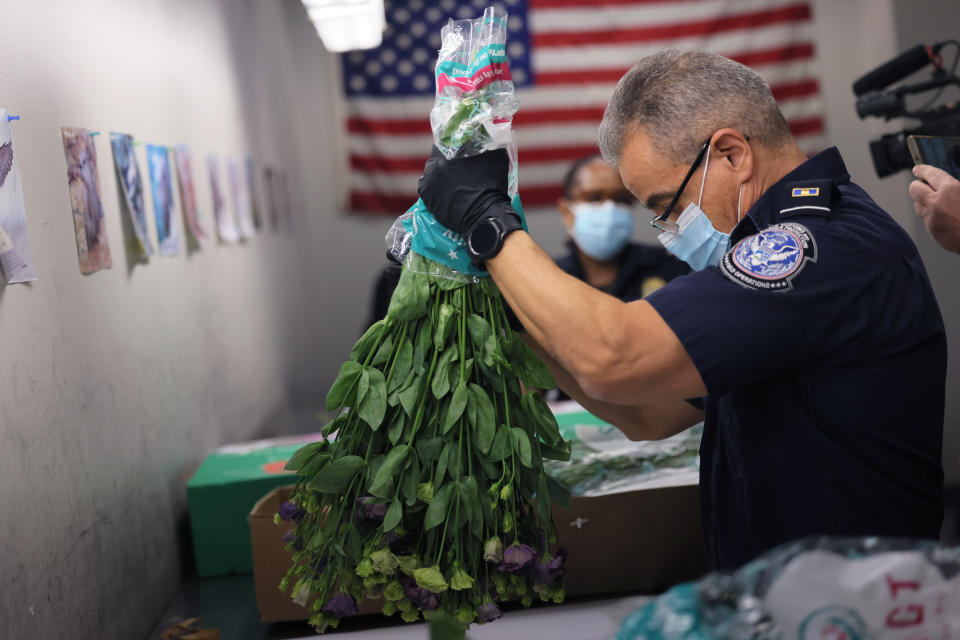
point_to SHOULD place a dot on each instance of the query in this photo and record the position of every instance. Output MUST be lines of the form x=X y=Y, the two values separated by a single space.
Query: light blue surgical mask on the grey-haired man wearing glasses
x=697 y=242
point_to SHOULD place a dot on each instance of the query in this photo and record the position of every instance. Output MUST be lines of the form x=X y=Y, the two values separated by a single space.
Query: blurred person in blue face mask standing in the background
x=598 y=212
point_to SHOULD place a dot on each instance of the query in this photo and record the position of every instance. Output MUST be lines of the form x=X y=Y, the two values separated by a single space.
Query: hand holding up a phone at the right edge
x=936 y=199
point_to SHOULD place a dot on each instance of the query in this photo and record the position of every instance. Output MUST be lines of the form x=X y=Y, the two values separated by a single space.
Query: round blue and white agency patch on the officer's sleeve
x=771 y=259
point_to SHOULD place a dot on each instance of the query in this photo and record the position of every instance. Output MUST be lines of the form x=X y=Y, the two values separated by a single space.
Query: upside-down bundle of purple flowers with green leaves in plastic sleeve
x=423 y=496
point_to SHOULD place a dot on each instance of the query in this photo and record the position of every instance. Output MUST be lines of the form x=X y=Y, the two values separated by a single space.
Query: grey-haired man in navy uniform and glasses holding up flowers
x=808 y=334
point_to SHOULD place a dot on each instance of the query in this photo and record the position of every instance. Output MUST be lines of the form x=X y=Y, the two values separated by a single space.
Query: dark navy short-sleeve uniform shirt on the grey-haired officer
x=823 y=352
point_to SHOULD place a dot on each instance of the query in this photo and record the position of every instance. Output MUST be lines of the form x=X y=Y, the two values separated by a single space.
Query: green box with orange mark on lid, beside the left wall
x=221 y=493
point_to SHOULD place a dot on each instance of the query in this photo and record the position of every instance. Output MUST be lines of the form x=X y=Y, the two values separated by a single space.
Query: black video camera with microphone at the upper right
x=890 y=152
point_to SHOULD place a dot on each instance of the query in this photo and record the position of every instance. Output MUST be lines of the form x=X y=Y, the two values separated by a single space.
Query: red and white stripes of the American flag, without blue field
x=581 y=49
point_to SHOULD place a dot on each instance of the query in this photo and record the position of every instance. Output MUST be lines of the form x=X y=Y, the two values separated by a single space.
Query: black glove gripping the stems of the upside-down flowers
x=461 y=192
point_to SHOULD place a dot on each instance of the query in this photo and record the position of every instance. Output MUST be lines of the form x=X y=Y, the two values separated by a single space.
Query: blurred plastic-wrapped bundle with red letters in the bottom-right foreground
x=839 y=588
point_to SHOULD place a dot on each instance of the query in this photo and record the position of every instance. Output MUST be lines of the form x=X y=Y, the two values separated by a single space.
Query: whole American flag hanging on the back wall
x=565 y=58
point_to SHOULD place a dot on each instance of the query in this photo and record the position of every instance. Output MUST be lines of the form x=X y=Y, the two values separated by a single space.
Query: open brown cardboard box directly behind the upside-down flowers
x=647 y=540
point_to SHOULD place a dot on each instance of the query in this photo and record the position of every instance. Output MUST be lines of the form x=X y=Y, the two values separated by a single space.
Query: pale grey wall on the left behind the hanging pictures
x=114 y=386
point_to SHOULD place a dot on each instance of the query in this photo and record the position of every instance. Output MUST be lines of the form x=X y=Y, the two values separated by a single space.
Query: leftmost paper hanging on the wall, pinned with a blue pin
x=15 y=261
